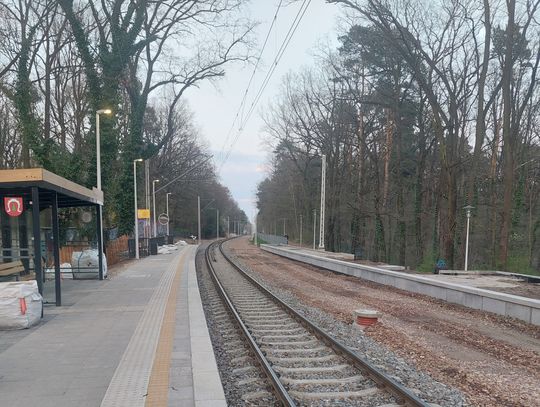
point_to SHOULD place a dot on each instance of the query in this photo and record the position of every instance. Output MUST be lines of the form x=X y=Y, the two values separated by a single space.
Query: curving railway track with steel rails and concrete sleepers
x=303 y=364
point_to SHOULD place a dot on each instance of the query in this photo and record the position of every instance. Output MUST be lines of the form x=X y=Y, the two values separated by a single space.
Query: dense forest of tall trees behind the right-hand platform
x=425 y=107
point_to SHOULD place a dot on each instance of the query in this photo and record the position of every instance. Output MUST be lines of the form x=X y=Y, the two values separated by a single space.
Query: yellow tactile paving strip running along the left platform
x=158 y=386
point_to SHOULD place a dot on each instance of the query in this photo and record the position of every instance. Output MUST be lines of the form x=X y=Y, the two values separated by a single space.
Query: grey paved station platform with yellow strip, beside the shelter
x=137 y=339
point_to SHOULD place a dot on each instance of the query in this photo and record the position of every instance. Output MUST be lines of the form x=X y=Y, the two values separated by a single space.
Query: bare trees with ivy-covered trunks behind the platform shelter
x=63 y=61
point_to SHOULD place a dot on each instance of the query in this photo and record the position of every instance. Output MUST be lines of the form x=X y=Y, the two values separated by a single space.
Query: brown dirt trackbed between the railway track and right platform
x=494 y=360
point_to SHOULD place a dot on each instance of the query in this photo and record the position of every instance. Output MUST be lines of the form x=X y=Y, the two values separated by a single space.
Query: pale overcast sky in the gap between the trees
x=215 y=108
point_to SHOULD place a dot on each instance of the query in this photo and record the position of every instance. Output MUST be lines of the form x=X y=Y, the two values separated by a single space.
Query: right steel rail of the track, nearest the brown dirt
x=400 y=392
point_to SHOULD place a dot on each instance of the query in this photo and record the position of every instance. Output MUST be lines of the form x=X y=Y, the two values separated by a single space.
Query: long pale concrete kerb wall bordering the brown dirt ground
x=514 y=306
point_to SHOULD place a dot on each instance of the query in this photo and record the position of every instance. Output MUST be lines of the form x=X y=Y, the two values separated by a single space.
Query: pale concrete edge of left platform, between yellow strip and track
x=207 y=387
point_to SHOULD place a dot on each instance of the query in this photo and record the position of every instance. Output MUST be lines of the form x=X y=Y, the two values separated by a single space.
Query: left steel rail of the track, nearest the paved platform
x=280 y=390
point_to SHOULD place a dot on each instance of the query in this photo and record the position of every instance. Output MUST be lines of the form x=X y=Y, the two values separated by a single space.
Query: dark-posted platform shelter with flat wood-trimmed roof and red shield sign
x=25 y=194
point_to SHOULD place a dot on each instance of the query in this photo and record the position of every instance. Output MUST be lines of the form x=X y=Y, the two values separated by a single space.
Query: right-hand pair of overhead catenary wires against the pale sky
x=292 y=29
